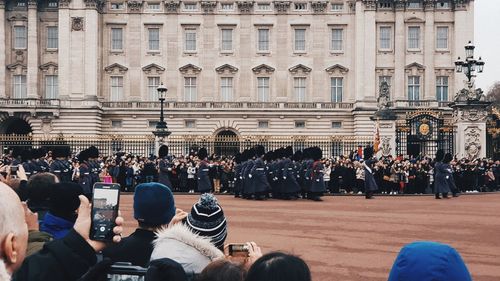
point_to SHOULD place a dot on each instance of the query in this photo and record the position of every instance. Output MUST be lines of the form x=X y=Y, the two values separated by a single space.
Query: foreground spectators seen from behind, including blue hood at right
x=45 y=235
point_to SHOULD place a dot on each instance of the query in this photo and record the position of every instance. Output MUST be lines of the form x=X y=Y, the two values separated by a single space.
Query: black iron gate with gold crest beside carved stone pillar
x=422 y=134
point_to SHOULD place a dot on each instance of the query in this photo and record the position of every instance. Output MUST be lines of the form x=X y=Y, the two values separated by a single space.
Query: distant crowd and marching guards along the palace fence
x=256 y=174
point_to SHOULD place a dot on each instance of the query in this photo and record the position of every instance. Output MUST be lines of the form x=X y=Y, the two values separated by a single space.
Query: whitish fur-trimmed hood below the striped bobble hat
x=192 y=251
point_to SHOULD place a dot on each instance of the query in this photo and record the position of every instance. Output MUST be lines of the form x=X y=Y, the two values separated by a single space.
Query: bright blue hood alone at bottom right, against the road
x=429 y=261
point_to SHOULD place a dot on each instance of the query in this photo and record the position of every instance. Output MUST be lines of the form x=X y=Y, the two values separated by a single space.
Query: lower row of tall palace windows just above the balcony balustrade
x=227 y=88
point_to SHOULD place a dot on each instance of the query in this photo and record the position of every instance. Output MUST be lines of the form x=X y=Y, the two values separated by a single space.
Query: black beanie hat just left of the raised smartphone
x=64 y=200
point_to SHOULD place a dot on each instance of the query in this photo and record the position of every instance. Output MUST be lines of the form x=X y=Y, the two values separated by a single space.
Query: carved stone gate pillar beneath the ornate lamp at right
x=470 y=122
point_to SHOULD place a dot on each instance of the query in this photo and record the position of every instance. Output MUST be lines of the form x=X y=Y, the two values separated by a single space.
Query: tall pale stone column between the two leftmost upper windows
x=32 y=77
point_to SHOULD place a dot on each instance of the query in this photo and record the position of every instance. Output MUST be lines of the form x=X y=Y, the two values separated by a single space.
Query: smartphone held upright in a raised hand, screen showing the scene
x=105 y=202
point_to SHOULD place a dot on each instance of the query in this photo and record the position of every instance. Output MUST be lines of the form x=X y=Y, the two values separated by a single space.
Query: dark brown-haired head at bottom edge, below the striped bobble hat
x=222 y=270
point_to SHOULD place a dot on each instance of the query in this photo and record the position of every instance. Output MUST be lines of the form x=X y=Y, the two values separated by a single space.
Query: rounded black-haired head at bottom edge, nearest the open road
x=278 y=266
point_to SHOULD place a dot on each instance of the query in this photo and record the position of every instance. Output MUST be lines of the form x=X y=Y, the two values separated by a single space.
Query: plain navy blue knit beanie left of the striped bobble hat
x=153 y=204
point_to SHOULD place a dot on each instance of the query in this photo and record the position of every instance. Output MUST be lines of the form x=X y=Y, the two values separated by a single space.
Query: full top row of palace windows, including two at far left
x=337 y=40
